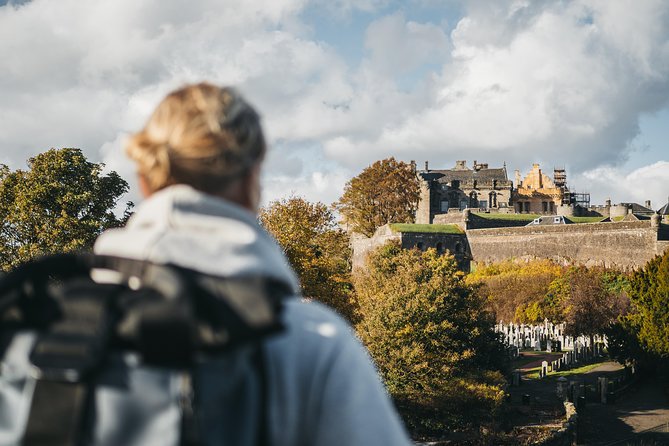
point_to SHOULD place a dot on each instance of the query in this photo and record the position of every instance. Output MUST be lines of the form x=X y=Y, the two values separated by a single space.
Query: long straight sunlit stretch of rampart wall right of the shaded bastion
x=626 y=245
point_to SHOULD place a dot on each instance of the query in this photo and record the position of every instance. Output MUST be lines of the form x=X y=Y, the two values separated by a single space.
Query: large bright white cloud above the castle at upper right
x=560 y=82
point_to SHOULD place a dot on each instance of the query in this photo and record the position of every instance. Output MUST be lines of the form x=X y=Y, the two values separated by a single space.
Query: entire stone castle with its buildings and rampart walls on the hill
x=465 y=209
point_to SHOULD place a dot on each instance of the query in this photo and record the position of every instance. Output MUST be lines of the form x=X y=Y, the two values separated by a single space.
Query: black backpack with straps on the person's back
x=170 y=316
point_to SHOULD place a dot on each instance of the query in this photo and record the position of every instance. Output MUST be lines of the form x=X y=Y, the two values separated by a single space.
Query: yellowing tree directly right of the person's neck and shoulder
x=317 y=249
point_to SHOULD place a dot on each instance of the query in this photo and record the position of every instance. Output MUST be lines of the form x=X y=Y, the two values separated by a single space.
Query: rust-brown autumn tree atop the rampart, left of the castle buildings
x=385 y=192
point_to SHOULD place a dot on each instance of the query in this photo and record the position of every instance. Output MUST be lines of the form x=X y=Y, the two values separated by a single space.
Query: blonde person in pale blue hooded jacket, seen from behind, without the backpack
x=199 y=161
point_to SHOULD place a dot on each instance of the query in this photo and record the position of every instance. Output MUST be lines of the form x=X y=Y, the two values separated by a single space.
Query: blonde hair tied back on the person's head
x=201 y=135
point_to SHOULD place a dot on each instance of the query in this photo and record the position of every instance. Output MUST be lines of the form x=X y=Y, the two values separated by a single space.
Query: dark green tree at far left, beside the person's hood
x=61 y=203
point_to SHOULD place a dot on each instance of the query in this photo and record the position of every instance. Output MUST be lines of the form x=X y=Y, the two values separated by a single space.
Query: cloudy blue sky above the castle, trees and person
x=580 y=84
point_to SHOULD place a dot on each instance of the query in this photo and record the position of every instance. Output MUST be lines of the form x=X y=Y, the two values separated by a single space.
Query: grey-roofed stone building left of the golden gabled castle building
x=448 y=190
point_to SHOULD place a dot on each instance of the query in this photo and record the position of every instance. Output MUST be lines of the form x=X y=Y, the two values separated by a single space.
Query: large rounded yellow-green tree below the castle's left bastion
x=431 y=338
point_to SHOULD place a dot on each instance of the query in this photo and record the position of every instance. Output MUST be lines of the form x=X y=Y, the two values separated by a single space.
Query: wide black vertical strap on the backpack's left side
x=63 y=358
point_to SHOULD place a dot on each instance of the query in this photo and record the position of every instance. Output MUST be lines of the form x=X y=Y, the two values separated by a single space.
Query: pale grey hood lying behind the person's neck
x=183 y=226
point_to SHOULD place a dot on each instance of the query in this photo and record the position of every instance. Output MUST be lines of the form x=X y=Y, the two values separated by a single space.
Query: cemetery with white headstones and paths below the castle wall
x=555 y=377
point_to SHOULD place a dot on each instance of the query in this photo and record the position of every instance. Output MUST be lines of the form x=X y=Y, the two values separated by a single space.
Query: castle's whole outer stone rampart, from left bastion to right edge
x=626 y=245
